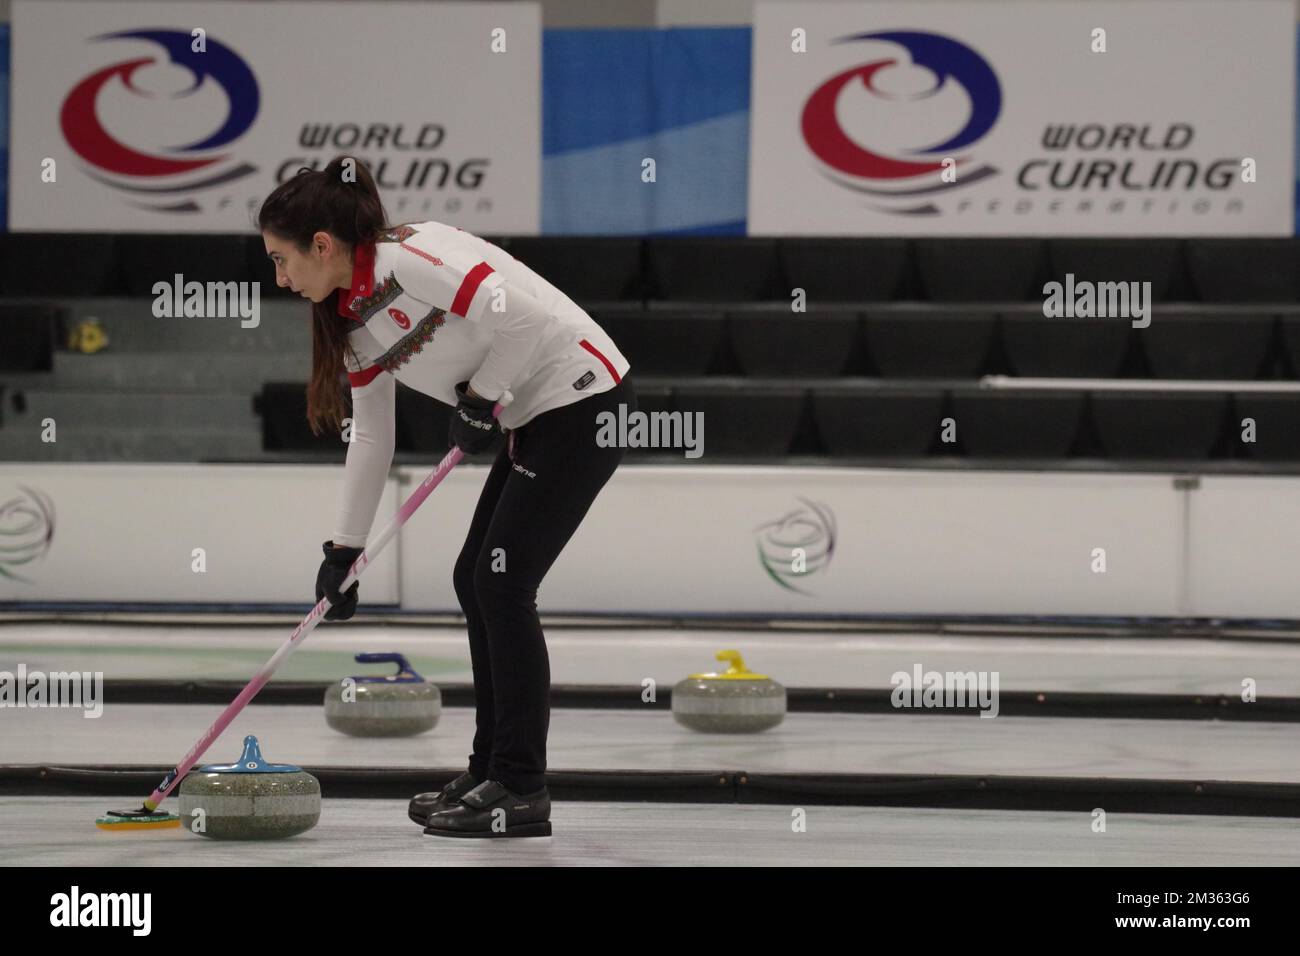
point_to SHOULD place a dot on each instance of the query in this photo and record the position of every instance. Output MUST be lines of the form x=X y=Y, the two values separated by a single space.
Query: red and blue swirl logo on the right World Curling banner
x=930 y=102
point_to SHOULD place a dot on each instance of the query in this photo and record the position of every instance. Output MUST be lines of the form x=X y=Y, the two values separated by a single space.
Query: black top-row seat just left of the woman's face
x=145 y=259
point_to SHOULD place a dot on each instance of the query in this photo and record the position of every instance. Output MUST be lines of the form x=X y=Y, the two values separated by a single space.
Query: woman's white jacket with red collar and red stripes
x=434 y=306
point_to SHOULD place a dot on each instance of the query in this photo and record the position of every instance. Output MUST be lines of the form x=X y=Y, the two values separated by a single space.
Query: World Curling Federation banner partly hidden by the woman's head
x=183 y=118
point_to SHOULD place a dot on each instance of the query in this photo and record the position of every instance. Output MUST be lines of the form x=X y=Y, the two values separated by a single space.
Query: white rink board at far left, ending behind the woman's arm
x=128 y=533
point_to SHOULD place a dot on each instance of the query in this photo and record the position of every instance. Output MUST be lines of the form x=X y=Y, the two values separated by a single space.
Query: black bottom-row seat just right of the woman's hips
x=742 y=419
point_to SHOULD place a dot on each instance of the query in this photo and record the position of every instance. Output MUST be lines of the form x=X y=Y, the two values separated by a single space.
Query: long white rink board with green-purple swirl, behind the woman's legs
x=684 y=539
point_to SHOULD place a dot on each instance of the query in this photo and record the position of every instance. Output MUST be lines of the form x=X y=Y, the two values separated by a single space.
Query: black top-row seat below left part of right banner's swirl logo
x=843 y=270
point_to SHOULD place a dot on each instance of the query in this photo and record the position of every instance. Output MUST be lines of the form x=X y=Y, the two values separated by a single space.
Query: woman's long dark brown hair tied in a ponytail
x=298 y=209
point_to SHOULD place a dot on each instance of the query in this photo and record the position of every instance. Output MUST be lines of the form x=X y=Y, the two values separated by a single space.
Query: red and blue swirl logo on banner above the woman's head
x=161 y=178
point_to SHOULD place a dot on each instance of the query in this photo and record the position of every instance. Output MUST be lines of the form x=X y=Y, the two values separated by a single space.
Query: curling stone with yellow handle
x=735 y=702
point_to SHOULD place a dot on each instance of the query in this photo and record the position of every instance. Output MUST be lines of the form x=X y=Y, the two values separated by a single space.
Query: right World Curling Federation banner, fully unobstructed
x=1003 y=119
